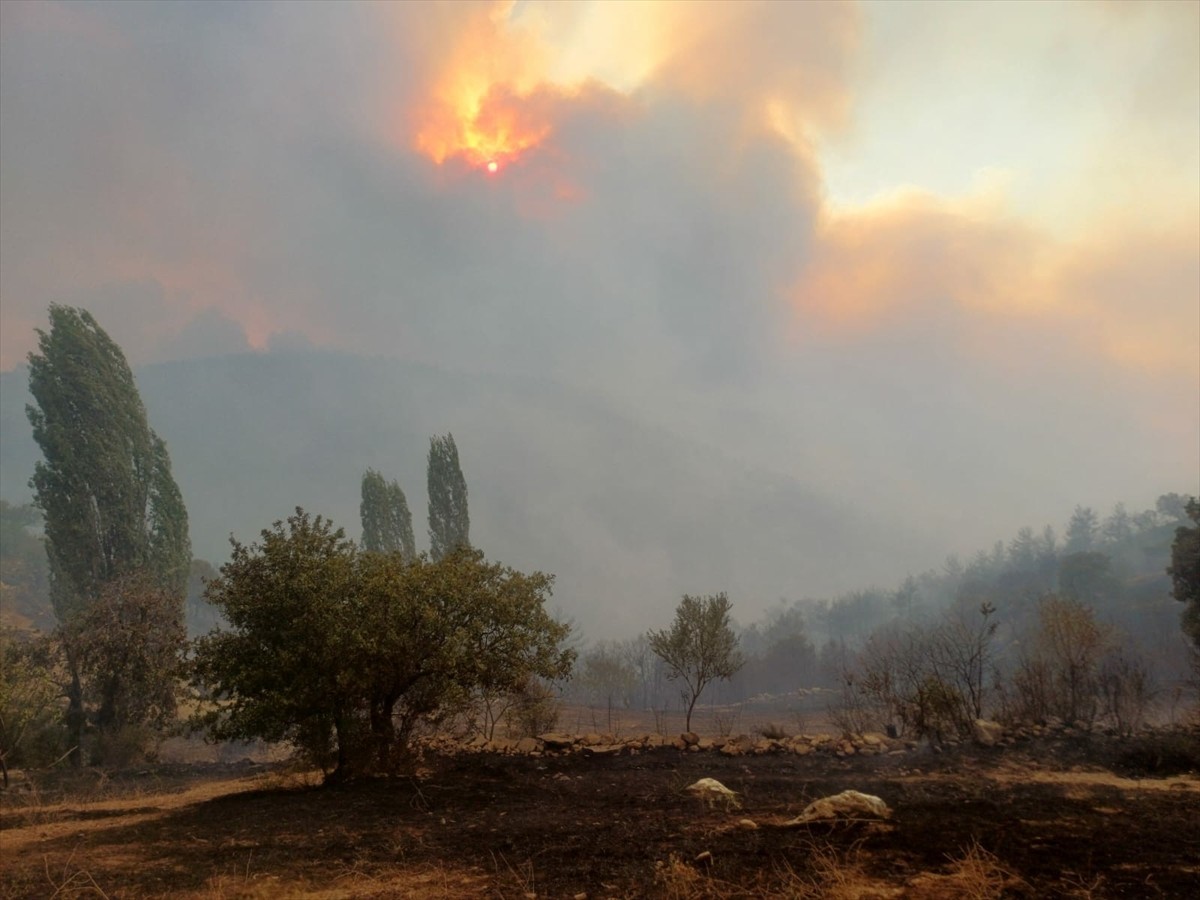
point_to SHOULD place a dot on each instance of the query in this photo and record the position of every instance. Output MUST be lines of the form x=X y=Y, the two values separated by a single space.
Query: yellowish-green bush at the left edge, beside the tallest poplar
x=31 y=703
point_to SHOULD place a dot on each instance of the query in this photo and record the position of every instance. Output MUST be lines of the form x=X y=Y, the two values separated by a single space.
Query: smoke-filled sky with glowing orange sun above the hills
x=943 y=260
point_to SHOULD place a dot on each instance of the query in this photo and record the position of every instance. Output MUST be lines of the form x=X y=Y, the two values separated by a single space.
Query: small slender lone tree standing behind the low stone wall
x=700 y=646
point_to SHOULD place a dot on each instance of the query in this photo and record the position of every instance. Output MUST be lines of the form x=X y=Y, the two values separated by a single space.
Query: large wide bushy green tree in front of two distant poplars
x=344 y=653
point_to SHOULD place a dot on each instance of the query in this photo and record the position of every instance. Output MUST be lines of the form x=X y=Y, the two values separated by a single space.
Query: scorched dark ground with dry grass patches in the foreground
x=1052 y=819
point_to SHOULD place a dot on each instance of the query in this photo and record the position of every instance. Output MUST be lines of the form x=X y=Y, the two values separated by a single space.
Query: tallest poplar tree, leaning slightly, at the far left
x=111 y=505
